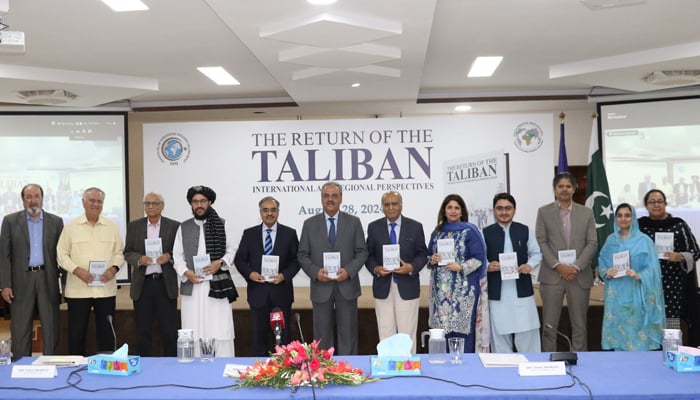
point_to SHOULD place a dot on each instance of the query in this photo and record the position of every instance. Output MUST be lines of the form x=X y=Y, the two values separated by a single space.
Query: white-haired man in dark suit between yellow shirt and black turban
x=153 y=278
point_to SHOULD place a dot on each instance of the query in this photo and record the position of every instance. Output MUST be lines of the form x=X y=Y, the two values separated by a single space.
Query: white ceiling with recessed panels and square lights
x=289 y=55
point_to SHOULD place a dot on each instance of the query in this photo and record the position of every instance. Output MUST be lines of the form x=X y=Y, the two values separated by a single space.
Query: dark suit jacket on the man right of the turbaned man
x=248 y=258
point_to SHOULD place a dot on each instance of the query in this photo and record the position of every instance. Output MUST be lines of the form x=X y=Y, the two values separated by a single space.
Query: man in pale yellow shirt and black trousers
x=91 y=250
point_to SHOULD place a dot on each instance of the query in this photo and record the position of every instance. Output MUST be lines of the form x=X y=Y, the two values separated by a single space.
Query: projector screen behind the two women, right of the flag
x=654 y=144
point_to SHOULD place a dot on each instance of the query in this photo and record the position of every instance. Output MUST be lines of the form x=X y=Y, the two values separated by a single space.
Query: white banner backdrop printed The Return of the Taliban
x=422 y=158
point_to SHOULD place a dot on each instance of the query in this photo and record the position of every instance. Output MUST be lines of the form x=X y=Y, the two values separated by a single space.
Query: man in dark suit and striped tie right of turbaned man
x=273 y=288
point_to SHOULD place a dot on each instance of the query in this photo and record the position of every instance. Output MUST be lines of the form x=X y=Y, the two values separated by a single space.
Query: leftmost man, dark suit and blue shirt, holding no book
x=29 y=272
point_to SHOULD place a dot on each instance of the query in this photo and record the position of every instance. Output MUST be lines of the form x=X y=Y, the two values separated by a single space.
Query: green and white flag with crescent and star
x=598 y=192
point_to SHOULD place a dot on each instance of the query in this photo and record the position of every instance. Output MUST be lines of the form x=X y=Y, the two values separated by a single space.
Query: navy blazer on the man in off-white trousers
x=413 y=251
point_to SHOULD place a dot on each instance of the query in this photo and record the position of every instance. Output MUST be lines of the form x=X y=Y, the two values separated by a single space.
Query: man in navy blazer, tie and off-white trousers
x=396 y=291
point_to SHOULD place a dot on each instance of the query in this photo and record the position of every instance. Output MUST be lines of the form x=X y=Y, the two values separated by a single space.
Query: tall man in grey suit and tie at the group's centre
x=335 y=285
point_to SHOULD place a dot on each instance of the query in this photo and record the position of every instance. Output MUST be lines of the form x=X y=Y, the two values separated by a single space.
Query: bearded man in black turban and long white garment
x=203 y=254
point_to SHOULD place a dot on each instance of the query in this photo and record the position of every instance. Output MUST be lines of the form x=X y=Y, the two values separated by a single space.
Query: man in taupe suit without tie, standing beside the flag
x=566 y=234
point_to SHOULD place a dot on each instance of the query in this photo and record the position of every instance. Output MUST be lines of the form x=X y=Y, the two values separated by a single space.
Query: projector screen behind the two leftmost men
x=65 y=153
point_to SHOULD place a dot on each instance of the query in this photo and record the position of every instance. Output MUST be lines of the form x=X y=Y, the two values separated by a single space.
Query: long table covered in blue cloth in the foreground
x=609 y=375
